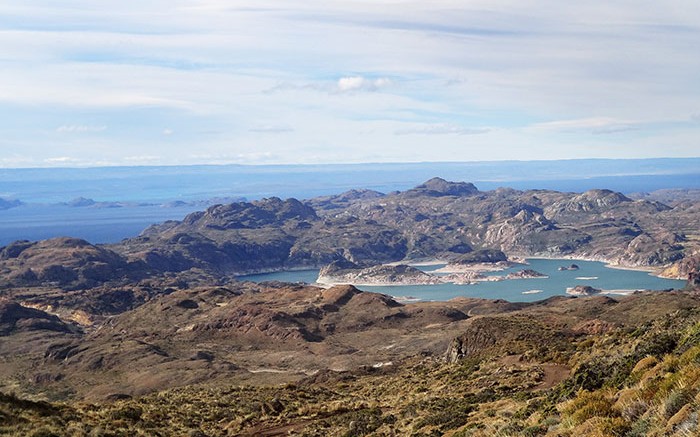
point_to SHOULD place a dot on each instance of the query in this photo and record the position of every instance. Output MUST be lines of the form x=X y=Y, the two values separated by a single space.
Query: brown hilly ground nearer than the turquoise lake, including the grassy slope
x=357 y=363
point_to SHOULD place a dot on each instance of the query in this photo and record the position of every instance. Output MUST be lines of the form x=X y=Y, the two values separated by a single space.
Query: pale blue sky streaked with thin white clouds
x=86 y=83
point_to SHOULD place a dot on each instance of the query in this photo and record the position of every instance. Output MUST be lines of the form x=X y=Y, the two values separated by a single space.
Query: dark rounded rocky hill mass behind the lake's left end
x=267 y=235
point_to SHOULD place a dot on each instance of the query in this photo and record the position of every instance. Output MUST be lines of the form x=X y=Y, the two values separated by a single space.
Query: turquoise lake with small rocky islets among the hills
x=512 y=290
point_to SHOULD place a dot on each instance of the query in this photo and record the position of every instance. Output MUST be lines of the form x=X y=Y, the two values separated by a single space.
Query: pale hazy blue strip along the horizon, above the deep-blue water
x=161 y=184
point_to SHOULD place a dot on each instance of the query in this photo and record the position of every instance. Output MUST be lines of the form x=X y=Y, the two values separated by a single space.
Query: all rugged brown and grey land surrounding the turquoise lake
x=154 y=336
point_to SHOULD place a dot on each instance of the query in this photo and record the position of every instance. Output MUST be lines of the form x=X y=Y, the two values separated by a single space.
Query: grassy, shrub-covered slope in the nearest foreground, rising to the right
x=637 y=377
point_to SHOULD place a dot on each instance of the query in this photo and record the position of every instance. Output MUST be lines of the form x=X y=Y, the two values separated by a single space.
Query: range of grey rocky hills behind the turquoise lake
x=437 y=219
